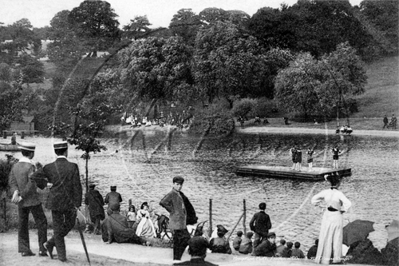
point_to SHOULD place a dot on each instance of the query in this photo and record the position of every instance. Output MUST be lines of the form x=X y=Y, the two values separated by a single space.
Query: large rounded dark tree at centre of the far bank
x=227 y=63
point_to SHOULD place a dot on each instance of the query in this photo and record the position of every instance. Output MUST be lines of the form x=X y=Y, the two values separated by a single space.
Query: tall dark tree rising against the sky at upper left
x=95 y=24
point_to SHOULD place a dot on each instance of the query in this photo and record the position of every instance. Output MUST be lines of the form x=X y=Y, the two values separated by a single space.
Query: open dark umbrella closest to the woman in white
x=357 y=231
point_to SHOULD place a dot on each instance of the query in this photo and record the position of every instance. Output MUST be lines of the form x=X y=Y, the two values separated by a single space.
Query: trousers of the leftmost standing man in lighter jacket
x=23 y=227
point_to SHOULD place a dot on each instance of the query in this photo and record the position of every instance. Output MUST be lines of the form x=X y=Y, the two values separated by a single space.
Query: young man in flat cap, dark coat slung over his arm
x=181 y=213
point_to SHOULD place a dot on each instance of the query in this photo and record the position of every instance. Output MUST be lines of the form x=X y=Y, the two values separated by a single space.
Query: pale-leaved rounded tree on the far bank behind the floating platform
x=312 y=86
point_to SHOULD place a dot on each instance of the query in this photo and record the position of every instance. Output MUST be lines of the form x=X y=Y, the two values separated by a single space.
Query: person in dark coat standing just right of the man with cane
x=95 y=202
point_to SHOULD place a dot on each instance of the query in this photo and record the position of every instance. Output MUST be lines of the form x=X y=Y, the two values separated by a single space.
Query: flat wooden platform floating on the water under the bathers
x=317 y=173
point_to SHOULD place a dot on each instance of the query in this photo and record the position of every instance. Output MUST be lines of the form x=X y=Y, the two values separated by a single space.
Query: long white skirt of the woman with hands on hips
x=330 y=238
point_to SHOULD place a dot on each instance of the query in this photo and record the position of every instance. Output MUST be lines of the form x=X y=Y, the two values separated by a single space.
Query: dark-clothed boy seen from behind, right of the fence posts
x=260 y=224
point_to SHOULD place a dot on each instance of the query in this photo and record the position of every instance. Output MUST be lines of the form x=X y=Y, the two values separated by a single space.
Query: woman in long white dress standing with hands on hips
x=329 y=248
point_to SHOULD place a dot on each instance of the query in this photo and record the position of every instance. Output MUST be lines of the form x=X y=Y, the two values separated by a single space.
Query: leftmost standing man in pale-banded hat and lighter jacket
x=24 y=191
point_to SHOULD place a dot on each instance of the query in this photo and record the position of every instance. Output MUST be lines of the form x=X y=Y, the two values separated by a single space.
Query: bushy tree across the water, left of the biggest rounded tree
x=156 y=68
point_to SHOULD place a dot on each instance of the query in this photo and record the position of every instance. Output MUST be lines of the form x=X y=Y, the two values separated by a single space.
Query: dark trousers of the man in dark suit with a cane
x=63 y=222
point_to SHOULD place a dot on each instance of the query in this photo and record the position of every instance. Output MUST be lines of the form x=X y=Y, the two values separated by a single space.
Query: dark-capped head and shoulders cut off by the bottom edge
x=197 y=247
